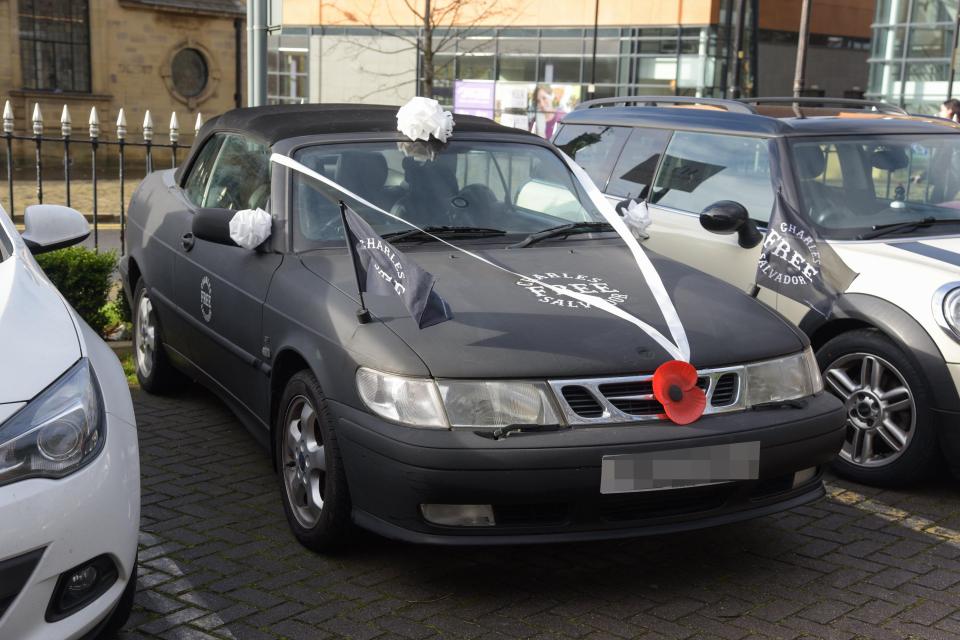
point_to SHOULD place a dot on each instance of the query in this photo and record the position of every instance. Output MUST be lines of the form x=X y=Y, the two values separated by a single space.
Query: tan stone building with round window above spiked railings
x=162 y=55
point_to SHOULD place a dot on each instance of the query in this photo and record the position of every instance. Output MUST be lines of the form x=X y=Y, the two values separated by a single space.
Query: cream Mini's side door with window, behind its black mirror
x=699 y=169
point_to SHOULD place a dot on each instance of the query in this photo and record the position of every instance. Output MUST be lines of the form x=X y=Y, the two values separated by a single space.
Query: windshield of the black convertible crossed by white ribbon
x=494 y=188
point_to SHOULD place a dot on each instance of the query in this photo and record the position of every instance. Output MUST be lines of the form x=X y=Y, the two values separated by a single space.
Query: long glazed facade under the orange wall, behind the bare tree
x=677 y=59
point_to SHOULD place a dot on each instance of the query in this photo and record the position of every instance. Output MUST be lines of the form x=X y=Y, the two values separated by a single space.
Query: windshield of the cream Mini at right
x=854 y=186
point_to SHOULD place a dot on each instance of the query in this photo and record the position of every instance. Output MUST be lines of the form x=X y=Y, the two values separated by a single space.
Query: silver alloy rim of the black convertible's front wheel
x=304 y=461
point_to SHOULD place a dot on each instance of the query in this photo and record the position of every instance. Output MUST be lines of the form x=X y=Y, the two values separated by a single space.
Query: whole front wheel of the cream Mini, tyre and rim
x=891 y=438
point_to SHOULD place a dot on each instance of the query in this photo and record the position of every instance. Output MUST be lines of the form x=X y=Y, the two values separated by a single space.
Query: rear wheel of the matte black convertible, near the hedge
x=154 y=371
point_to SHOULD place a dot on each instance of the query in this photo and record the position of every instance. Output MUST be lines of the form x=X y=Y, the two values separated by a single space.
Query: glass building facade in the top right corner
x=910 y=58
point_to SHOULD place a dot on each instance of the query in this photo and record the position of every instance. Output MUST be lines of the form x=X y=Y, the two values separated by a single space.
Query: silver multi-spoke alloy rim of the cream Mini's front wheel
x=880 y=408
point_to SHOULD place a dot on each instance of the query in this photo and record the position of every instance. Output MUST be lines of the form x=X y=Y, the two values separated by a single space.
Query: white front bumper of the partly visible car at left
x=67 y=522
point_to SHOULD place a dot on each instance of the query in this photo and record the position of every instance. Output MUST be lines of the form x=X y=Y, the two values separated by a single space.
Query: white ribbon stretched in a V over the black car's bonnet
x=678 y=351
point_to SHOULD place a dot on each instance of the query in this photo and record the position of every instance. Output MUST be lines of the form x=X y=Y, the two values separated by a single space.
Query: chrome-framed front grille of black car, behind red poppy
x=627 y=399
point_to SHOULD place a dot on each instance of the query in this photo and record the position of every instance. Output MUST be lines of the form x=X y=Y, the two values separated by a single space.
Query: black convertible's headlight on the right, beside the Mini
x=790 y=378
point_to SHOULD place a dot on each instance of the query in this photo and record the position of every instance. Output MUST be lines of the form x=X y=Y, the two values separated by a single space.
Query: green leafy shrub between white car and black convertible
x=83 y=277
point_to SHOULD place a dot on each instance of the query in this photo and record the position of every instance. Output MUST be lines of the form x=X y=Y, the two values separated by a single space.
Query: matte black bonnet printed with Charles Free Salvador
x=504 y=328
